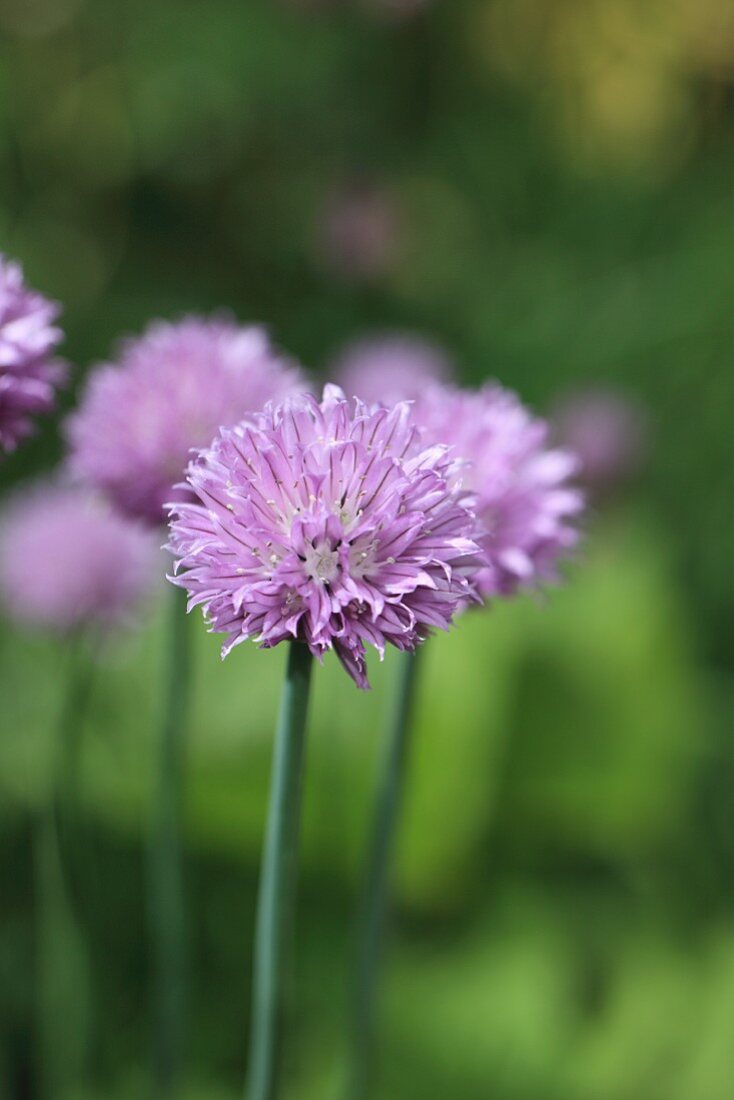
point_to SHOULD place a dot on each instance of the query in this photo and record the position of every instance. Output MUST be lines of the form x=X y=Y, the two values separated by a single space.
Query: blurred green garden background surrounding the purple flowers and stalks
x=547 y=189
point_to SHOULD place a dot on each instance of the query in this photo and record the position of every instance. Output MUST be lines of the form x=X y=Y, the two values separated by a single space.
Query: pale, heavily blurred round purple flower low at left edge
x=68 y=562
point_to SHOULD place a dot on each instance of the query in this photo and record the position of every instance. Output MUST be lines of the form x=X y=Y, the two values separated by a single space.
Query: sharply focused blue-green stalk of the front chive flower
x=279 y=875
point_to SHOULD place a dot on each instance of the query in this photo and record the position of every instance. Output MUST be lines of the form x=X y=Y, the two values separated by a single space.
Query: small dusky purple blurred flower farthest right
x=607 y=431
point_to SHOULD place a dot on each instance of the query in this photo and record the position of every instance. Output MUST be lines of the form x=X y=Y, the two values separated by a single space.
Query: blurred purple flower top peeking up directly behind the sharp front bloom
x=391 y=369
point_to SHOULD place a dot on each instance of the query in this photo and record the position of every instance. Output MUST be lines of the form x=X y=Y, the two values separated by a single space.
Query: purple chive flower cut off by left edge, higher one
x=29 y=372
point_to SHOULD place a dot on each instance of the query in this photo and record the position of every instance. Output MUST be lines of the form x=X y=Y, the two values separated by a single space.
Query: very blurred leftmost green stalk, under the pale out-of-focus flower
x=63 y=953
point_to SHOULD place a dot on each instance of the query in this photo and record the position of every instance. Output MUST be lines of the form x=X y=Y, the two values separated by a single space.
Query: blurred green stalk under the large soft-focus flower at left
x=166 y=864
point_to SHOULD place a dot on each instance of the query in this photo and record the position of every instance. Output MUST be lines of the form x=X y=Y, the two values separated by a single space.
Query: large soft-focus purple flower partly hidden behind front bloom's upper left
x=171 y=392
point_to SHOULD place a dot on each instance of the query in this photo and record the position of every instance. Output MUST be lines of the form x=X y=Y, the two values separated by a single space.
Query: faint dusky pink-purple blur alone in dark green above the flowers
x=359 y=232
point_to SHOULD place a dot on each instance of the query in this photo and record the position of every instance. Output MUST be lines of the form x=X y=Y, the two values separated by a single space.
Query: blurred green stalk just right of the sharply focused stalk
x=375 y=903
